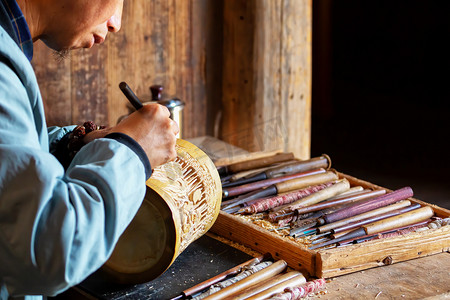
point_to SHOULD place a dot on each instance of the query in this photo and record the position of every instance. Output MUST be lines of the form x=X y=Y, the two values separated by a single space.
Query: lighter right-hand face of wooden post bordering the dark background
x=296 y=60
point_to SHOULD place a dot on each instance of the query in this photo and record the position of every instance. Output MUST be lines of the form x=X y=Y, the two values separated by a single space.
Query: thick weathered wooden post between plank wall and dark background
x=267 y=75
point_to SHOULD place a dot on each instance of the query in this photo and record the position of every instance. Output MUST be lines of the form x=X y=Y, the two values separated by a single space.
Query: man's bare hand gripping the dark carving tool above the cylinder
x=152 y=128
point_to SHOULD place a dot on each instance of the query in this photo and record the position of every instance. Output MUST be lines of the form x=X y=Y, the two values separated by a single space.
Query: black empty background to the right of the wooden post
x=380 y=92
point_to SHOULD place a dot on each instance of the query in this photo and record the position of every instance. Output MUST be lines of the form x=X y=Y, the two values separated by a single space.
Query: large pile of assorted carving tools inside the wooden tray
x=308 y=202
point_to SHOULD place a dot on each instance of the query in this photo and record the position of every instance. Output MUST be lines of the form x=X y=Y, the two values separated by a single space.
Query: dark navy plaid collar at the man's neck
x=20 y=27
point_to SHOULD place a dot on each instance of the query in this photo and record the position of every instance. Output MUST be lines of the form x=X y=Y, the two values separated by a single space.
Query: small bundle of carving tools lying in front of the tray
x=258 y=278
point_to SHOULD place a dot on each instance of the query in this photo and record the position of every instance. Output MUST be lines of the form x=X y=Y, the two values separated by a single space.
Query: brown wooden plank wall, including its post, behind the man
x=243 y=67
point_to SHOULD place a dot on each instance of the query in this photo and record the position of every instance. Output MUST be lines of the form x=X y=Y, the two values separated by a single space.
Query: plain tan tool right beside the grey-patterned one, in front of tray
x=272 y=270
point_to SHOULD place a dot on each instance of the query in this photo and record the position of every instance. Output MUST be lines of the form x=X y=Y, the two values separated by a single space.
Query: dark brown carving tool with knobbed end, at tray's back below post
x=323 y=161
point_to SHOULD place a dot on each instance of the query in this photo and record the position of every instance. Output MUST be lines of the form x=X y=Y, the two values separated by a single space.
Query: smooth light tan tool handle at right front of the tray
x=414 y=216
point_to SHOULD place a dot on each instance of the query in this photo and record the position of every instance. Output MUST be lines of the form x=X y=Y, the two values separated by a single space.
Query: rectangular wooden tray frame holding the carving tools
x=342 y=260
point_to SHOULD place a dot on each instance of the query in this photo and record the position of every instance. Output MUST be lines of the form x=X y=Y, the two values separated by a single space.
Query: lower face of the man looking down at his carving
x=72 y=24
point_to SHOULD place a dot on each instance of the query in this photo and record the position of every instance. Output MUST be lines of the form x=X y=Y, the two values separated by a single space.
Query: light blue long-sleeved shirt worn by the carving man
x=56 y=226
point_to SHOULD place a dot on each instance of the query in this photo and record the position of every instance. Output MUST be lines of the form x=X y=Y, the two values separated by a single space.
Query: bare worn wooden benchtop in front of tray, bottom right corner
x=424 y=278
